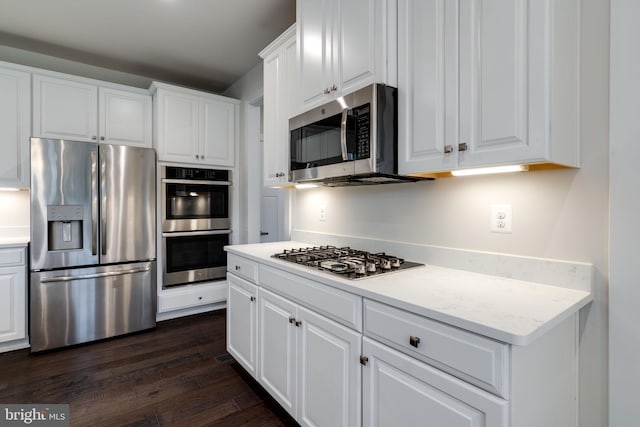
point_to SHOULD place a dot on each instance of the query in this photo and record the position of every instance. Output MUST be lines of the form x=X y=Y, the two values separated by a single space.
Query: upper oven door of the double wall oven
x=192 y=205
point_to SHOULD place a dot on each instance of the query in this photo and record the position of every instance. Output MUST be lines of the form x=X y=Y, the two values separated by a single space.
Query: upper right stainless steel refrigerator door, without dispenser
x=128 y=203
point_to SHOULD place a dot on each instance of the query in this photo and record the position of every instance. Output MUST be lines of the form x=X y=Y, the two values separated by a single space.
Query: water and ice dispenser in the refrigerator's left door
x=64 y=227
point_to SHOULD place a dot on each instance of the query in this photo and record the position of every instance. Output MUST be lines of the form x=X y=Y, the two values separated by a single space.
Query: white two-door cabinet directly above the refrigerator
x=82 y=111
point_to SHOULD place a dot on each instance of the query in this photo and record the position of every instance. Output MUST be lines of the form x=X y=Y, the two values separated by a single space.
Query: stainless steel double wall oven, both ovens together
x=195 y=224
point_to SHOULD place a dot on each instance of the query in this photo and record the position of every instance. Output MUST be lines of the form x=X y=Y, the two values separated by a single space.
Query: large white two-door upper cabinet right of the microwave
x=487 y=83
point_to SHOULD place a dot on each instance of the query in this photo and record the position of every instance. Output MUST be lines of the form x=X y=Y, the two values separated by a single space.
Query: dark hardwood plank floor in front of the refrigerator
x=176 y=375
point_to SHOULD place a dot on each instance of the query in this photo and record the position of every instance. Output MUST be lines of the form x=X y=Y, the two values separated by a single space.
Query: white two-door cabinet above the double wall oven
x=194 y=127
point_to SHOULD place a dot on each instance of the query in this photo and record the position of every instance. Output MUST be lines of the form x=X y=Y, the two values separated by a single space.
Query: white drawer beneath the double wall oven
x=191 y=296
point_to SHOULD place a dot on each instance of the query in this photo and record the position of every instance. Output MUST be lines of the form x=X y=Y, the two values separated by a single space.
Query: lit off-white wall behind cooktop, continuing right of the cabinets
x=560 y=214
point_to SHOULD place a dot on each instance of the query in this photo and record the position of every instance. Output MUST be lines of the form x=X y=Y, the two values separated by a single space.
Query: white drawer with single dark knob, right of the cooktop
x=474 y=358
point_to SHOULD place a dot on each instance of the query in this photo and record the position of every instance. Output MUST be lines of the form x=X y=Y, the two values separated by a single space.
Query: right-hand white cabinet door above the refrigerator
x=125 y=117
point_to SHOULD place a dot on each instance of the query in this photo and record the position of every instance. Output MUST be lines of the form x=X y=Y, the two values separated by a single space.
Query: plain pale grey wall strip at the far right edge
x=624 y=306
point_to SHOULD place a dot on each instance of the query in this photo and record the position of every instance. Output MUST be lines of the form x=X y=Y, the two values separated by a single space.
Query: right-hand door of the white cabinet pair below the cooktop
x=329 y=372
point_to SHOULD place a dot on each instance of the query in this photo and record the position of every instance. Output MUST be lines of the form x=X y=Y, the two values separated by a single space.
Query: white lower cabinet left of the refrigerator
x=13 y=302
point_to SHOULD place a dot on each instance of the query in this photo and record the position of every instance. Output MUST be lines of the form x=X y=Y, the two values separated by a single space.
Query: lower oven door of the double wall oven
x=194 y=256
